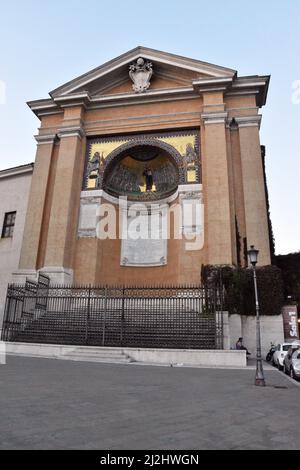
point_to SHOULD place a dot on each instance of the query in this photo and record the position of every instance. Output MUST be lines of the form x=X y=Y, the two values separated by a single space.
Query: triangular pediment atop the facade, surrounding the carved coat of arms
x=169 y=71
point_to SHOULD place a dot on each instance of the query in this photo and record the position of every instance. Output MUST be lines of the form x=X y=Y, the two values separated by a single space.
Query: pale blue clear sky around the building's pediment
x=43 y=44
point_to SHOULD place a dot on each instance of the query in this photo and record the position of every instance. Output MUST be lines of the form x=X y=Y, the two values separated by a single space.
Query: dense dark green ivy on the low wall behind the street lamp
x=238 y=287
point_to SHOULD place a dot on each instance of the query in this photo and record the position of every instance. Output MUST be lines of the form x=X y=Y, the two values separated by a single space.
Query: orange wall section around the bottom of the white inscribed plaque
x=98 y=262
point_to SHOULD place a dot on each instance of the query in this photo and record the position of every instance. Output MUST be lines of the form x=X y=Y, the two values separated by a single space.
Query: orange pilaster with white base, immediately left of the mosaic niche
x=62 y=233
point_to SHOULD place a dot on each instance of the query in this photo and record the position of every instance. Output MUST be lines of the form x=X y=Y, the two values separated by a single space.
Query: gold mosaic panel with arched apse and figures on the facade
x=145 y=166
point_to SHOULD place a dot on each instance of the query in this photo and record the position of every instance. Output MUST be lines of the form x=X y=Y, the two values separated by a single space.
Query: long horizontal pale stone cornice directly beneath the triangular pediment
x=228 y=84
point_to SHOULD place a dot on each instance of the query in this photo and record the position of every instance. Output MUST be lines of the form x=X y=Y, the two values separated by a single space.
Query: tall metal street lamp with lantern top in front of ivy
x=259 y=377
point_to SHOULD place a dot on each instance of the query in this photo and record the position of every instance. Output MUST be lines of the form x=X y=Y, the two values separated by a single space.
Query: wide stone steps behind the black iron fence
x=138 y=329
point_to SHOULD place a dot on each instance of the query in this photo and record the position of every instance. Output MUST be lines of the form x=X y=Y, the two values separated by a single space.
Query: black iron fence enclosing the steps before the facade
x=163 y=317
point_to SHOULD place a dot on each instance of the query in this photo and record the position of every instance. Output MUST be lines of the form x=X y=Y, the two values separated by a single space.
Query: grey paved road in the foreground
x=53 y=404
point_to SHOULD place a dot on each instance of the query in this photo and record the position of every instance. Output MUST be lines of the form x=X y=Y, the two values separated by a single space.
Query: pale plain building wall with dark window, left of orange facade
x=14 y=192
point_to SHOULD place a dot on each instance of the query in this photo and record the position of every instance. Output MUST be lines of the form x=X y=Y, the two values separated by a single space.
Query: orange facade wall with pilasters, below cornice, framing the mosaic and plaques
x=233 y=190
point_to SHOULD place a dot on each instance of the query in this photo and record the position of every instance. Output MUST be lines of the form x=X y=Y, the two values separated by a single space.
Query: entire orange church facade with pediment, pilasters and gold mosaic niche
x=147 y=168
